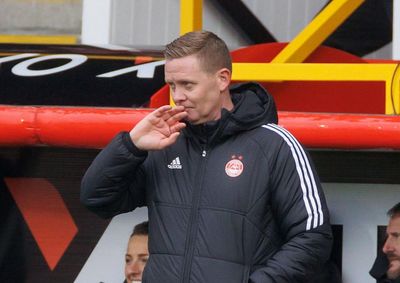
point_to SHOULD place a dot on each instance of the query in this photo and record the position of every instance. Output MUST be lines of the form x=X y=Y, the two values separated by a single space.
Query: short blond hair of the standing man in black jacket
x=211 y=50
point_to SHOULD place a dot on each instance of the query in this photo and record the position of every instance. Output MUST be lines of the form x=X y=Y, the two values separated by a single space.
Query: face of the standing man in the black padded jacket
x=198 y=91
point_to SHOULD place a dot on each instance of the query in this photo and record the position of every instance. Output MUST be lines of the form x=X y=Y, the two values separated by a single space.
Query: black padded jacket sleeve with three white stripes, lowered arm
x=301 y=214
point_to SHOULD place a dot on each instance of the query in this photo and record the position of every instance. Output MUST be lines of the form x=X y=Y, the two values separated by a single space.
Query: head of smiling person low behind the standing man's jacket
x=137 y=253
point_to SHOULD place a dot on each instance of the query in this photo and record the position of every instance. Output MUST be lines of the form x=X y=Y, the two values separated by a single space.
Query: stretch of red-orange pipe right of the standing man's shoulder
x=343 y=131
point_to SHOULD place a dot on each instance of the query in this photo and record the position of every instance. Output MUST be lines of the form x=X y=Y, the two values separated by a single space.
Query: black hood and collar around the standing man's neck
x=253 y=107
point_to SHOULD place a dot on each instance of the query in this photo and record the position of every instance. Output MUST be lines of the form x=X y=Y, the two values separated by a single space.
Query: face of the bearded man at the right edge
x=392 y=247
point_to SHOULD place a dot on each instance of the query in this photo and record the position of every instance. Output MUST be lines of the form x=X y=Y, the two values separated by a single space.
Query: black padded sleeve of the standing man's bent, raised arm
x=114 y=183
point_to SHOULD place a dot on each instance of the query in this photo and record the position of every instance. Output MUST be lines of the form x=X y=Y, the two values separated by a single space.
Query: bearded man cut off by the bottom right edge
x=386 y=268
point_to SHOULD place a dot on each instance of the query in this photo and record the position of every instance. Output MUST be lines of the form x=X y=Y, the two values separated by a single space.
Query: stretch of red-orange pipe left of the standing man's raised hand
x=64 y=126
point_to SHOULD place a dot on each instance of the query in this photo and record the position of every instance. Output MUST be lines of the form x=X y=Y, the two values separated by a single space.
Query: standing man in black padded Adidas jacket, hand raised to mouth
x=232 y=197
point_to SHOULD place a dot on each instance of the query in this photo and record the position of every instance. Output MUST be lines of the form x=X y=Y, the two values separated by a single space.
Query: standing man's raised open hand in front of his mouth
x=159 y=129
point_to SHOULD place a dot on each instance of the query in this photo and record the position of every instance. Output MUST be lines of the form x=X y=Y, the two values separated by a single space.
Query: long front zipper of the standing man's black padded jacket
x=193 y=221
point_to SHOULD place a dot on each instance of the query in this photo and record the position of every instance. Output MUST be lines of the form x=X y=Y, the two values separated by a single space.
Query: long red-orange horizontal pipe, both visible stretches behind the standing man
x=87 y=127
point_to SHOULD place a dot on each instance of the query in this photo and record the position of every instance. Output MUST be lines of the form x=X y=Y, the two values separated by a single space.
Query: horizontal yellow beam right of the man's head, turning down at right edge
x=388 y=73
